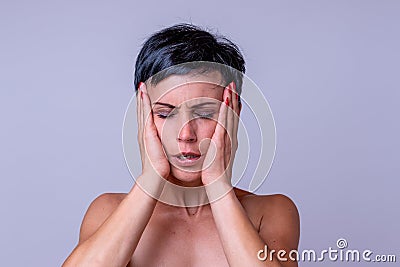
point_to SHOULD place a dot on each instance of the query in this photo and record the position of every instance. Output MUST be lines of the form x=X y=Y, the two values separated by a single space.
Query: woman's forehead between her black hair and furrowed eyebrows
x=177 y=89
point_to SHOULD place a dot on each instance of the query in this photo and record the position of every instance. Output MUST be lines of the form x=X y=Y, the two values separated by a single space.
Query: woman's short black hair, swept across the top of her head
x=184 y=43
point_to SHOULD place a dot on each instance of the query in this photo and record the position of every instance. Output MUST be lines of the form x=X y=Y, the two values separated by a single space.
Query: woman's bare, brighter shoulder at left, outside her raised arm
x=98 y=212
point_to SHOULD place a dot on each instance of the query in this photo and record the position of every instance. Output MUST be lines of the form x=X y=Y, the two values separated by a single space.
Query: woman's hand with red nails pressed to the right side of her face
x=222 y=149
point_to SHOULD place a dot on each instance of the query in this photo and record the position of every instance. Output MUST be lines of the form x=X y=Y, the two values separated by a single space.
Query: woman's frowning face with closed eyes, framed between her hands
x=185 y=112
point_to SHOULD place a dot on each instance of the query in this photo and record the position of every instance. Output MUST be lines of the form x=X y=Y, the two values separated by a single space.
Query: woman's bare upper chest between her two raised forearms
x=179 y=243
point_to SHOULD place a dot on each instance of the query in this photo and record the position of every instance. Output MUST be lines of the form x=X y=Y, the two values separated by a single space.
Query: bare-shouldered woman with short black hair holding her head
x=187 y=119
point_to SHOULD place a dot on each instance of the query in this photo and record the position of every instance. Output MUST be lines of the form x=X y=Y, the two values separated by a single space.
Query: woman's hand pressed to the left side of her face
x=154 y=160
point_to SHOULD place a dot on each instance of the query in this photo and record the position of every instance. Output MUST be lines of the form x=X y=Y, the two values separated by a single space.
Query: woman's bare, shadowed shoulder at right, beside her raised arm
x=276 y=218
